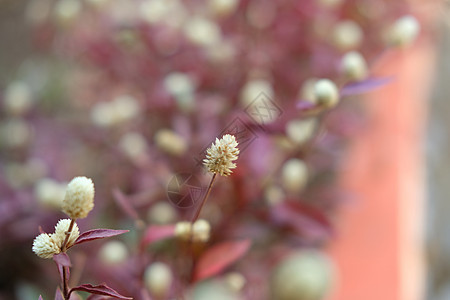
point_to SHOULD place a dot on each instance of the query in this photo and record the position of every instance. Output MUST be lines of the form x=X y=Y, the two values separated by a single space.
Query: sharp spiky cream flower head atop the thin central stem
x=220 y=156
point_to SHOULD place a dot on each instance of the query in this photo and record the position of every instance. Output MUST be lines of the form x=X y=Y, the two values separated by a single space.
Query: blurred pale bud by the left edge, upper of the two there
x=18 y=99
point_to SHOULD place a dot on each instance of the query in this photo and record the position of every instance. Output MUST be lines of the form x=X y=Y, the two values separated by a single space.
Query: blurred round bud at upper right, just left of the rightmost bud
x=347 y=35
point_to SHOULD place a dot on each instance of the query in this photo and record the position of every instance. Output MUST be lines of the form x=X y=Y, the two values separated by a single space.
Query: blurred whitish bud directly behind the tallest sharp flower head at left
x=50 y=193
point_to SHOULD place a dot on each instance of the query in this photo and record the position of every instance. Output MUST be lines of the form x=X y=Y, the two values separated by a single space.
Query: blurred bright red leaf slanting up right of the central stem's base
x=220 y=256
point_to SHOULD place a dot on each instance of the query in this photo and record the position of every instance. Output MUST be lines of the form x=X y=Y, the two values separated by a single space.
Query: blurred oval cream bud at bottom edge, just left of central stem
x=158 y=279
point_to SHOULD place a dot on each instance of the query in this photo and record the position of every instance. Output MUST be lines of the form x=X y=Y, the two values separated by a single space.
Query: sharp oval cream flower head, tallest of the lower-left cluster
x=79 y=199
